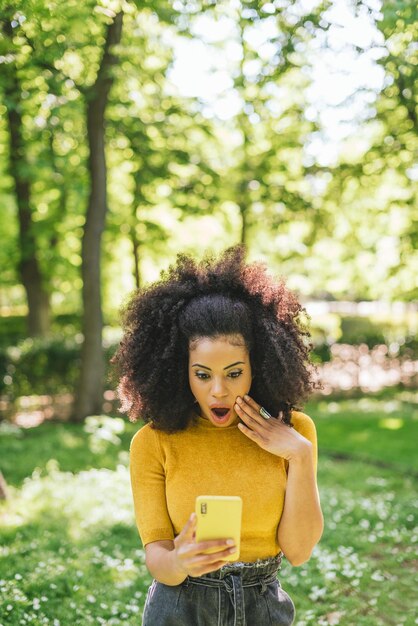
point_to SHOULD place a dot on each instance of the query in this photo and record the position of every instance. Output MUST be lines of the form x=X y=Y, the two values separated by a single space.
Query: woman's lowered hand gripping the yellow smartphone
x=189 y=556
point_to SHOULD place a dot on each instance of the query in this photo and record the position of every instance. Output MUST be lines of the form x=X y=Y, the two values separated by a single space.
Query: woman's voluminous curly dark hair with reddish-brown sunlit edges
x=212 y=298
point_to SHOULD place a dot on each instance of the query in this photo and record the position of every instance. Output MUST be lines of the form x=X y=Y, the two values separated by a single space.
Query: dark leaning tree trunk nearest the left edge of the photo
x=30 y=272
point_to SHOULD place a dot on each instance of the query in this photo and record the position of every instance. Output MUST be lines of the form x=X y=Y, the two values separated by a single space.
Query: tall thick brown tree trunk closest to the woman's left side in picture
x=89 y=396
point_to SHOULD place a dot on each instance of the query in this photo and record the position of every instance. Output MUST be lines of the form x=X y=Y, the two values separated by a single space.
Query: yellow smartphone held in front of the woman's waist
x=219 y=517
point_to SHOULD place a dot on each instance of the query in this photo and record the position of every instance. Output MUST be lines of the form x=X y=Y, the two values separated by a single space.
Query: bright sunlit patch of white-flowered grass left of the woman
x=72 y=529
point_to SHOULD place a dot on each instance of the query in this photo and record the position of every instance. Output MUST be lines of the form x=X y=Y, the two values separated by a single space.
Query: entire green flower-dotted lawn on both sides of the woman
x=71 y=554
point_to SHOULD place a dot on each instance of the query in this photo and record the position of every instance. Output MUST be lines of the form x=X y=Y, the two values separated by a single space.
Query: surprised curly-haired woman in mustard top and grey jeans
x=214 y=359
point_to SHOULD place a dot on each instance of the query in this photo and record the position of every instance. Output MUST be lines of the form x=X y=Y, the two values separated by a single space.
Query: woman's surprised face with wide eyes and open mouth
x=219 y=371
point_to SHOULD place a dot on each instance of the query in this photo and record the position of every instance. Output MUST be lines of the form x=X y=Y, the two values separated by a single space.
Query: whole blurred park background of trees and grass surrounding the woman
x=296 y=135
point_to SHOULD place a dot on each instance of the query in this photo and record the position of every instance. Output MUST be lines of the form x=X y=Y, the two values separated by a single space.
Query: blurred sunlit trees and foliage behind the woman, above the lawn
x=109 y=169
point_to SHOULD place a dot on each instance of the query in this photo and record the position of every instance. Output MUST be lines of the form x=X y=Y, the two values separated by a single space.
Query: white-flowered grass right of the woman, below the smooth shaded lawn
x=365 y=565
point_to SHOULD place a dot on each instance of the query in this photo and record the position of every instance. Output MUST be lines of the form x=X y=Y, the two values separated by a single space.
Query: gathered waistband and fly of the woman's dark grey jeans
x=234 y=577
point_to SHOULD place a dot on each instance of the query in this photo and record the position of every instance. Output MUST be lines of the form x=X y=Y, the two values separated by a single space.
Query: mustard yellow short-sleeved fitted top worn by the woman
x=168 y=471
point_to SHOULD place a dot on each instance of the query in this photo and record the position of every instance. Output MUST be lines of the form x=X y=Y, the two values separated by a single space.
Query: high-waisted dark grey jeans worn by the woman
x=238 y=594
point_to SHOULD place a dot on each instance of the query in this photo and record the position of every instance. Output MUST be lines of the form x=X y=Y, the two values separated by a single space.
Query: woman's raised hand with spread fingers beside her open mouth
x=272 y=434
